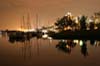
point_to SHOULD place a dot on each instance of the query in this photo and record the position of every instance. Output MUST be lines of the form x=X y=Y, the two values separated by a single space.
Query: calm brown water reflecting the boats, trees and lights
x=40 y=52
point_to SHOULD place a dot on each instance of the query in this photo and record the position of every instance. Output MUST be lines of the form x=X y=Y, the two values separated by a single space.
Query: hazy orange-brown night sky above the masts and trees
x=12 y=11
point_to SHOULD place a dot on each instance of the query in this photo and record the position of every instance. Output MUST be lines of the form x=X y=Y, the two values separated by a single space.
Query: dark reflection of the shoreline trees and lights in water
x=67 y=45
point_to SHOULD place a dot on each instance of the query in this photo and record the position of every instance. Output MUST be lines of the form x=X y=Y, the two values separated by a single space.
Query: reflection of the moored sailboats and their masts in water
x=25 y=47
